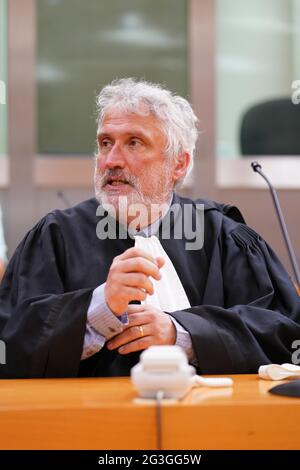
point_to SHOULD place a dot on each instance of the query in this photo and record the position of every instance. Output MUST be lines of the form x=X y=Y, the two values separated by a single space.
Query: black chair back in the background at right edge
x=271 y=128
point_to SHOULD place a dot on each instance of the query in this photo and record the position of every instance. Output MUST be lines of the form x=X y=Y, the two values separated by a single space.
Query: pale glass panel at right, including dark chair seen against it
x=258 y=65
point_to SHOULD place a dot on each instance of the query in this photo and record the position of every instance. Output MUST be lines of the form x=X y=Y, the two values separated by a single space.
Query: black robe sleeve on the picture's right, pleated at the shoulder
x=260 y=318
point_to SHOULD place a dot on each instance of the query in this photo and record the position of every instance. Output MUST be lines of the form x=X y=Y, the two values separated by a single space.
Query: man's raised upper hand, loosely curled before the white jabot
x=128 y=278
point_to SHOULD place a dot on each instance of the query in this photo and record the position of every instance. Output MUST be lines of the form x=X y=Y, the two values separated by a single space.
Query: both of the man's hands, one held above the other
x=128 y=280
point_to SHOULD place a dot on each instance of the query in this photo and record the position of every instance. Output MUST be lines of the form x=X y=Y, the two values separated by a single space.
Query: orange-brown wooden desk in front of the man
x=101 y=414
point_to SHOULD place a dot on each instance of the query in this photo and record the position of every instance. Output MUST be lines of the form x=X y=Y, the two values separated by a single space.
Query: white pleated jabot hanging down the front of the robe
x=169 y=294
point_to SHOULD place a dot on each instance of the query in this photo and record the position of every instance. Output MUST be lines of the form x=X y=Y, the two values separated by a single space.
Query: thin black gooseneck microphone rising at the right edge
x=257 y=168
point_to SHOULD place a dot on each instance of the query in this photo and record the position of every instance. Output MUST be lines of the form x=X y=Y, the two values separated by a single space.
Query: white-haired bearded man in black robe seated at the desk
x=90 y=287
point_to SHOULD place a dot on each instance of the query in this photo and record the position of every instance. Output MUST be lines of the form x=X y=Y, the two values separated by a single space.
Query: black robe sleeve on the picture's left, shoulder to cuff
x=42 y=326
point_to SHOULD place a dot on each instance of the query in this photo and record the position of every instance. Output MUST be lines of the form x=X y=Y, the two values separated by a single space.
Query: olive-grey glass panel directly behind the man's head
x=84 y=45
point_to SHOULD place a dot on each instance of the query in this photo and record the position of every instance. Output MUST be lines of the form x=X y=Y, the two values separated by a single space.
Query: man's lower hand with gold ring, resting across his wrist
x=147 y=326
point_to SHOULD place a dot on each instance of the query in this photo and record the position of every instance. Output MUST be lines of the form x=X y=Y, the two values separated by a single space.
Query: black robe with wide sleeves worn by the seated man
x=245 y=311
